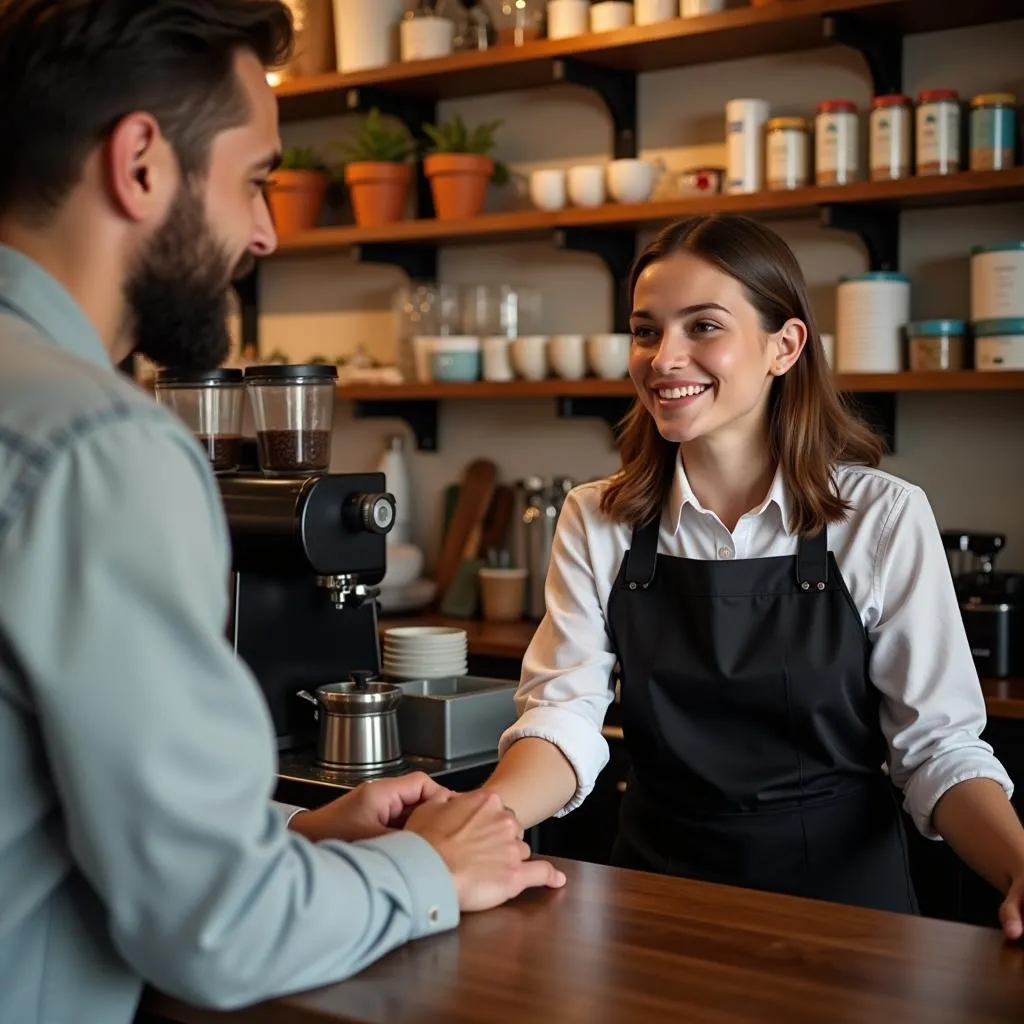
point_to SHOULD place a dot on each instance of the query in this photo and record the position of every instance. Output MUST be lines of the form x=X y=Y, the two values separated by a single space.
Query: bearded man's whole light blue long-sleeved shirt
x=138 y=837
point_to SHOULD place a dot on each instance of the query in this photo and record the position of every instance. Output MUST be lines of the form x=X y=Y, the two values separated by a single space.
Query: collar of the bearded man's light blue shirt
x=34 y=295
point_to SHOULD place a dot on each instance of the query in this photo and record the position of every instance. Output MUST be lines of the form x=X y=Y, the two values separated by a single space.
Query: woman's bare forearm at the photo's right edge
x=978 y=822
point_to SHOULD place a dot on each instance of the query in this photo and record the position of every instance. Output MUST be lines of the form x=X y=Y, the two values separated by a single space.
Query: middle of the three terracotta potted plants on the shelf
x=378 y=172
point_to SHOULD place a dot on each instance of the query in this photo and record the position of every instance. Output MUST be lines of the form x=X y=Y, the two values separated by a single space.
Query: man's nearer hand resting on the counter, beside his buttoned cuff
x=482 y=843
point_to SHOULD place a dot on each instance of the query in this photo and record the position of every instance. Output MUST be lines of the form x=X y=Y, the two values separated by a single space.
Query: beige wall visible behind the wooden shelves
x=967 y=451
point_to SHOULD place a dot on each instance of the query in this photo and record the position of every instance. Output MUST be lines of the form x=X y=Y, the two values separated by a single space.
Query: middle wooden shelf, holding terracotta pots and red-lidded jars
x=956 y=190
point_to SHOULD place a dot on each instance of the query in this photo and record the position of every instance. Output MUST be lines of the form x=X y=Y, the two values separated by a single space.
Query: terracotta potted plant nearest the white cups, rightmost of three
x=459 y=167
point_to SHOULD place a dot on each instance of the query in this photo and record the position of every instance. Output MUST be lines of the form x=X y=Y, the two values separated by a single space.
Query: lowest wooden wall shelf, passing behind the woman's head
x=968 y=380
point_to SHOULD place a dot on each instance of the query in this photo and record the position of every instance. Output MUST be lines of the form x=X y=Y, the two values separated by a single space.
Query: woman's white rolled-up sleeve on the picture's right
x=933 y=711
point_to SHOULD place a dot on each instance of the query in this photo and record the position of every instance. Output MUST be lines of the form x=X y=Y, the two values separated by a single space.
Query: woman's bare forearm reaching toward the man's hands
x=534 y=780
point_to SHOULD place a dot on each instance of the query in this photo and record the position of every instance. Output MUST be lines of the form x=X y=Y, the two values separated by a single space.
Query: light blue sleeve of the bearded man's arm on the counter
x=161 y=748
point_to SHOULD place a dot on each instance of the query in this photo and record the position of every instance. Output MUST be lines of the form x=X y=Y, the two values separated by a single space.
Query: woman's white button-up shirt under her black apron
x=892 y=560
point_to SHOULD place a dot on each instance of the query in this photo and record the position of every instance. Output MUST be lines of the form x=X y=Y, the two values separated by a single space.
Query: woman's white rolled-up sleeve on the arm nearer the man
x=568 y=672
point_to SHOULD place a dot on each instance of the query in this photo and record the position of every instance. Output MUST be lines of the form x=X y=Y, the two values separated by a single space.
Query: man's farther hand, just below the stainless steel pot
x=370 y=810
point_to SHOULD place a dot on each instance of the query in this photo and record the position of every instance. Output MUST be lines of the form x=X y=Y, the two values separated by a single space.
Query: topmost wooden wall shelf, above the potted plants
x=746 y=32
